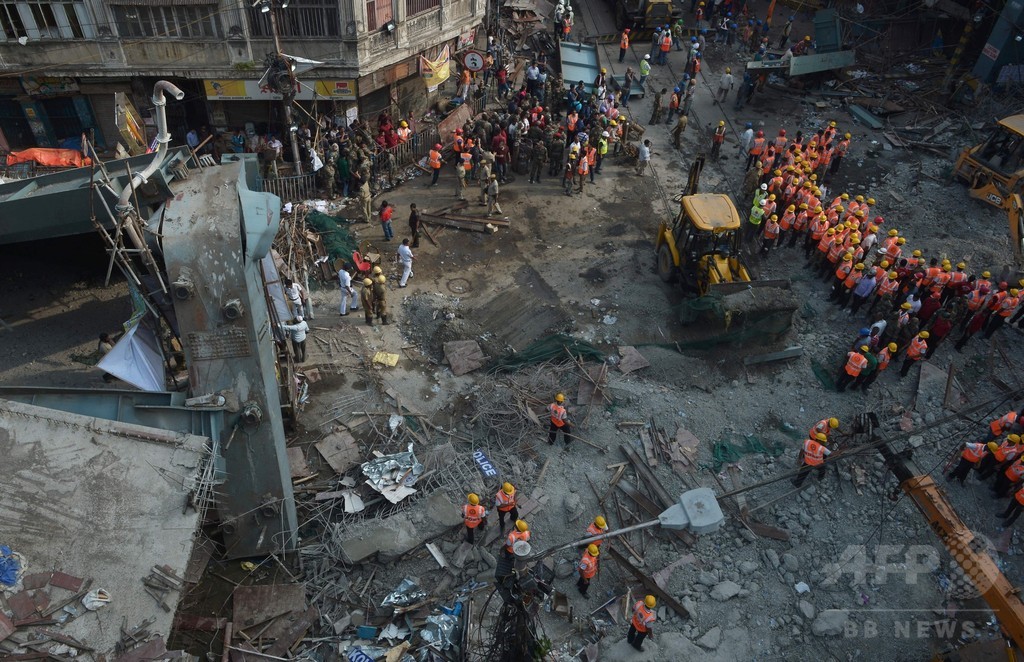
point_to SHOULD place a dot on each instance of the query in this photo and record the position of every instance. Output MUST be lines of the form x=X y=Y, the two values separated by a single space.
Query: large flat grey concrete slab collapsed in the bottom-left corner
x=103 y=502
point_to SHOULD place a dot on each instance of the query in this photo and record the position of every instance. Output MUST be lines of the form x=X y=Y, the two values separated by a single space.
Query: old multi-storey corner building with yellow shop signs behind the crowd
x=62 y=62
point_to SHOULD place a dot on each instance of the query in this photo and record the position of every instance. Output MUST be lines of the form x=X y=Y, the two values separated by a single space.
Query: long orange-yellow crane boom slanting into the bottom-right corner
x=994 y=587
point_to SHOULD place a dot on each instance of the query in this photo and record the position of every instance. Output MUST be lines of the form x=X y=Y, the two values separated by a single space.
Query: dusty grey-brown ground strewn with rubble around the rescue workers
x=590 y=258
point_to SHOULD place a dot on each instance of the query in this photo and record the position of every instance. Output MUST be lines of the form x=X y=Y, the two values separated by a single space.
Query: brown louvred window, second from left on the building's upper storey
x=174 y=22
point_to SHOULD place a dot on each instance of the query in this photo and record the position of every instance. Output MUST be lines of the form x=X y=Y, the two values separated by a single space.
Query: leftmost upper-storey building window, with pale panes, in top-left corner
x=46 y=20
